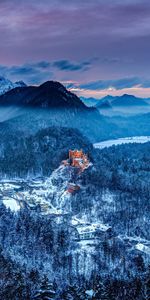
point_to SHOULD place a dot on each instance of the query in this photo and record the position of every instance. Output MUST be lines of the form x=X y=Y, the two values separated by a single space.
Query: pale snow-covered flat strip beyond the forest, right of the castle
x=128 y=140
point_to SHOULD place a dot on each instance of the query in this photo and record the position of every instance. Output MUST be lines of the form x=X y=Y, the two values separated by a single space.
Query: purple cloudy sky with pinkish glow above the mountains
x=94 y=47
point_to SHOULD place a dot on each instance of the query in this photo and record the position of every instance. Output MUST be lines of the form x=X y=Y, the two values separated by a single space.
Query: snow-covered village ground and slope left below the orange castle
x=48 y=193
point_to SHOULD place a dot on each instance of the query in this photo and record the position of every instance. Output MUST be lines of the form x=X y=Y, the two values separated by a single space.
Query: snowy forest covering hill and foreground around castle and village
x=40 y=257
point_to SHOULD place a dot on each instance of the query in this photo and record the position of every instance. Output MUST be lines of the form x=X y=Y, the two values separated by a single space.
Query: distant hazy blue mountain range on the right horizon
x=122 y=101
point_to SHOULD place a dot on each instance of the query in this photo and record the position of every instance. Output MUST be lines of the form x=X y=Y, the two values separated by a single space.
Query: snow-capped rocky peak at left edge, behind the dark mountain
x=7 y=85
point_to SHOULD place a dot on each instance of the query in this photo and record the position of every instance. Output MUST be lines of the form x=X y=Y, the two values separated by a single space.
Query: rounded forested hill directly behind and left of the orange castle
x=39 y=153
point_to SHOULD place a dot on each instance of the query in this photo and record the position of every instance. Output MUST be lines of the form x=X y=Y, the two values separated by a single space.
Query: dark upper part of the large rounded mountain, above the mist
x=50 y=94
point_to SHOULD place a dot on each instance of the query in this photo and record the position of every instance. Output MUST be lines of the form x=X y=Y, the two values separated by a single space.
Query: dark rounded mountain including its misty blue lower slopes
x=51 y=104
